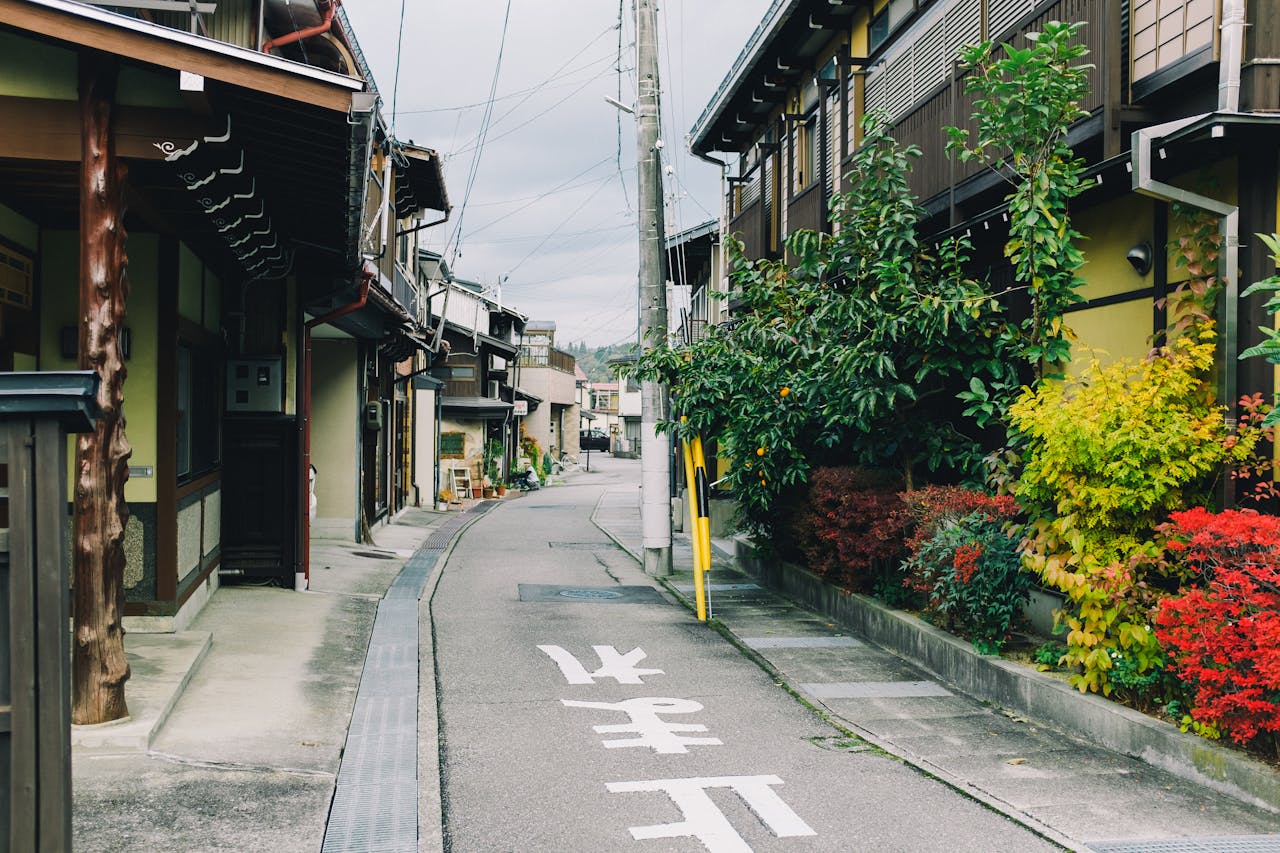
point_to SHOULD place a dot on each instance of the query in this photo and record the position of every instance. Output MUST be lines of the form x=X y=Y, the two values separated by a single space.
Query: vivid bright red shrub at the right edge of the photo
x=1223 y=636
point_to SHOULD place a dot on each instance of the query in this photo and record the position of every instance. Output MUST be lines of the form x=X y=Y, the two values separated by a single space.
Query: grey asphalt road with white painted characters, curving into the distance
x=579 y=720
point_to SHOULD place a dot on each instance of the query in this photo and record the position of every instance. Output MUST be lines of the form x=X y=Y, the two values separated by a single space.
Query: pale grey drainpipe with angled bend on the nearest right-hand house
x=1229 y=216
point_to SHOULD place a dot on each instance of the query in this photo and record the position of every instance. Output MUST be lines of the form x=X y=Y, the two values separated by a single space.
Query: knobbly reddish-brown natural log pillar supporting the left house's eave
x=99 y=665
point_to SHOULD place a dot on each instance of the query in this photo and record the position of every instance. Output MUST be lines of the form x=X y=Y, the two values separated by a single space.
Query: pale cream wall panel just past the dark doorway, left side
x=333 y=436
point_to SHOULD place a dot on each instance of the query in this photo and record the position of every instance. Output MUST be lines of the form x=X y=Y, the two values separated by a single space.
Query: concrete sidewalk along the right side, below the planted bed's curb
x=1073 y=792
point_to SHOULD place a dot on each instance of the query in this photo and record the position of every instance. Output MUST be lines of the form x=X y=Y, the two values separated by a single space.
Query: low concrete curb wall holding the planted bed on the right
x=1022 y=690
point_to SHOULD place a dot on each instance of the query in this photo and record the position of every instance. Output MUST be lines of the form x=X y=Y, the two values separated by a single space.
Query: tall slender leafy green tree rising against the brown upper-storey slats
x=1027 y=99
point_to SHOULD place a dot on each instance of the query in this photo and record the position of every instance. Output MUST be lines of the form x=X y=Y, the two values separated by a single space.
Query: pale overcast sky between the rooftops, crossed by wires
x=551 y=202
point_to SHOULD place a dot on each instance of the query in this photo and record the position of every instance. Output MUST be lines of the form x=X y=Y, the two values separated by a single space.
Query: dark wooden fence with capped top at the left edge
x=36 y=413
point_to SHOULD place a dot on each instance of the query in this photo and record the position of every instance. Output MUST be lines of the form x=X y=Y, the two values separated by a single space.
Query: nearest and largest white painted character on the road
x=706 y=822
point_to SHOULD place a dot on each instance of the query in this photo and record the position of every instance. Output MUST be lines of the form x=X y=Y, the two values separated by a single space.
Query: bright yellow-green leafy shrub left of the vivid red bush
x=1108 y=457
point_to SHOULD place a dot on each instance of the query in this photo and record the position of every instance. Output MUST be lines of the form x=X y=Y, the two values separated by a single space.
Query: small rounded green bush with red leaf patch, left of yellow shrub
x=972 y=576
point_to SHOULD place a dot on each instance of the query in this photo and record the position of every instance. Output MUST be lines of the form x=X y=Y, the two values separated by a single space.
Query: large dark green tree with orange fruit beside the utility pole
x=845 y=355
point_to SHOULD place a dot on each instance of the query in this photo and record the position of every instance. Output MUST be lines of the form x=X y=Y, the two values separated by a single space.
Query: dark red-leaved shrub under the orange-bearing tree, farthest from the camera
x=851 y=521
